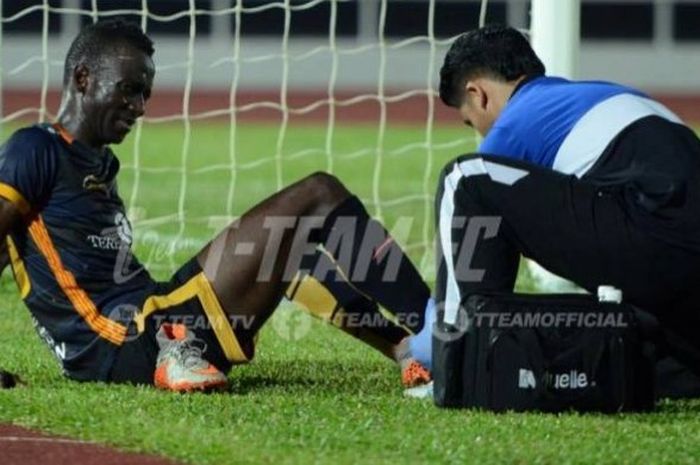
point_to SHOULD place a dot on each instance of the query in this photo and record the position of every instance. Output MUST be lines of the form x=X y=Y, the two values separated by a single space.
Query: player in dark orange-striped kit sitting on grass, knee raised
x=98 y=309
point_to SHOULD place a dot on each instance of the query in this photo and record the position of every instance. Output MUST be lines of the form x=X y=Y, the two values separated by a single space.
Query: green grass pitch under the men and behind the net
x=313 y=396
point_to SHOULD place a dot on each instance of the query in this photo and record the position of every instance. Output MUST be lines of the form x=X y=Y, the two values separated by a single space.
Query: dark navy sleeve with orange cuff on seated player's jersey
x=28 y=168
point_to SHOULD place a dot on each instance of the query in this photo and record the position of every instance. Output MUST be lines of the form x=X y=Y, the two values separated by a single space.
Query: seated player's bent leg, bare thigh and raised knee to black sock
x=253 y=261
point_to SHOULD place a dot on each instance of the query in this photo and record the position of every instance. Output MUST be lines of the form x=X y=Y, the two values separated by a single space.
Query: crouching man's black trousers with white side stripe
x=594 y=230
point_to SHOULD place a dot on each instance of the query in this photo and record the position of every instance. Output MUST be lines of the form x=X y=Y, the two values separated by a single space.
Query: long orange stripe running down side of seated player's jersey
x=103 y=326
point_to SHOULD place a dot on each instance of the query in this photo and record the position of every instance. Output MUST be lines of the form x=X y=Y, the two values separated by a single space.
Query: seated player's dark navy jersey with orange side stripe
x=72 y=253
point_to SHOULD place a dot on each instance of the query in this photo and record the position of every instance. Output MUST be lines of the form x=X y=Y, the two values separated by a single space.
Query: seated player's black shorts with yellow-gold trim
x=188 y=299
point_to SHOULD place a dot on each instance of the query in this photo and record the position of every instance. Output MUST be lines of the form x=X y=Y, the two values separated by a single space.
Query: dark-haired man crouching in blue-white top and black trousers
x=593 y=180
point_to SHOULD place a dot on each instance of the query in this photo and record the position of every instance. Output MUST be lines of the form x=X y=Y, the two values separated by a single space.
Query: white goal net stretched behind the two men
x=339 y=76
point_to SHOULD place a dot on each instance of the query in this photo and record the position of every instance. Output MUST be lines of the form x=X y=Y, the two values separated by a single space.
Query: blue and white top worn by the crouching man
x=567 y=125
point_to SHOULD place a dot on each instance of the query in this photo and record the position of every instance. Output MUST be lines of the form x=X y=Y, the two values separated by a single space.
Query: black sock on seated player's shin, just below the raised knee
x=374 y=263
